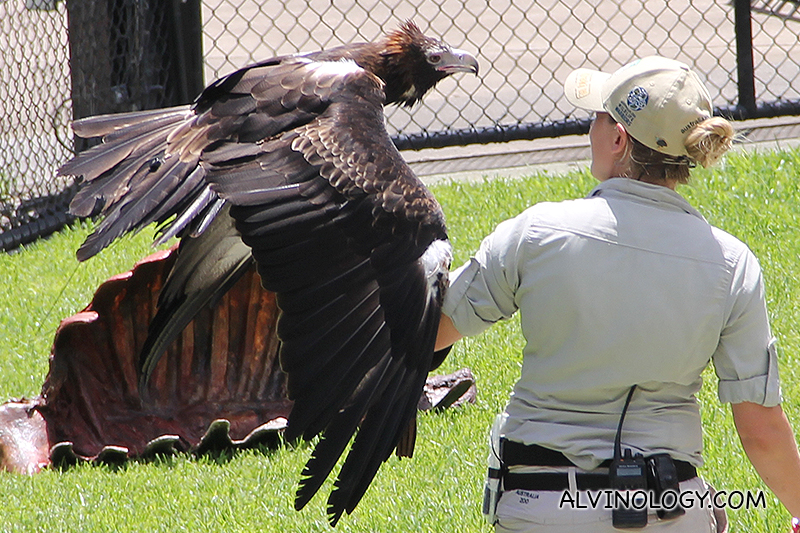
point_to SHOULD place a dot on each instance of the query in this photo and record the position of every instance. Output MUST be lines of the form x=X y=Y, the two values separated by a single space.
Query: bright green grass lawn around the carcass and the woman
x=756 y=197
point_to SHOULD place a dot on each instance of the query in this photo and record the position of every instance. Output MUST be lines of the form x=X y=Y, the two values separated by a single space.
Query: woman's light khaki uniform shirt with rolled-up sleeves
x=628 y=286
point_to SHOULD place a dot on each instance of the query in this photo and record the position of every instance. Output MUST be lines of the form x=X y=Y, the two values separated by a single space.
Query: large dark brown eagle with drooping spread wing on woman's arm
x=288 y=163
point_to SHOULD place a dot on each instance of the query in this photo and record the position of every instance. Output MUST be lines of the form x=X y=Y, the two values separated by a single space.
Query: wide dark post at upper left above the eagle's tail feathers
x=129 y=55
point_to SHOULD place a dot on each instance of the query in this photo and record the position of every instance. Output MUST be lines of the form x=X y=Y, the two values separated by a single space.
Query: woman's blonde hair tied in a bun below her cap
x=706 y=143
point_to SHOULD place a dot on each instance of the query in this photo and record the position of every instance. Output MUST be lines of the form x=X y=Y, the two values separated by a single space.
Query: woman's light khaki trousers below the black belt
x=549 y=512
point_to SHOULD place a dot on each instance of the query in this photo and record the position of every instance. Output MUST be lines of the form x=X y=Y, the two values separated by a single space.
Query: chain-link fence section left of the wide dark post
x=35 y=104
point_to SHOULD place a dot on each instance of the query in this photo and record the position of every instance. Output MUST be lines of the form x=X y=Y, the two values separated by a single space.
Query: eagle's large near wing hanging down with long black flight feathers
x=354 y=245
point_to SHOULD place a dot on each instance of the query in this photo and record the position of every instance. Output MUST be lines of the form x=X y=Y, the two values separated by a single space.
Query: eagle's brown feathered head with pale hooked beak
x=411 y=64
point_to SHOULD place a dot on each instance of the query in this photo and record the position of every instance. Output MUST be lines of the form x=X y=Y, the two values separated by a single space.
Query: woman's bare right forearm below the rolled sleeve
x=769 y=442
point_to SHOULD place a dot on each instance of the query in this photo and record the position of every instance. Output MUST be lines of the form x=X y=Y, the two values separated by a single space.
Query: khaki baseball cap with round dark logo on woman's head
x=658 y=100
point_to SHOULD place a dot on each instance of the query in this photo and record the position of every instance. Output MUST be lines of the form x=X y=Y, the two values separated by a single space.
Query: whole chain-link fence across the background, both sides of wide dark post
x=137 y=54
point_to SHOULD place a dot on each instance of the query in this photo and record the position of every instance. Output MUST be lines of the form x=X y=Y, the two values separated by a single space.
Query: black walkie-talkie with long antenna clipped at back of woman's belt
x=628 y=473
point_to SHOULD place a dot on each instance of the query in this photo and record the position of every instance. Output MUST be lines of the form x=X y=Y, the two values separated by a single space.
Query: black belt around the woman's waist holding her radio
x=518 y=454
